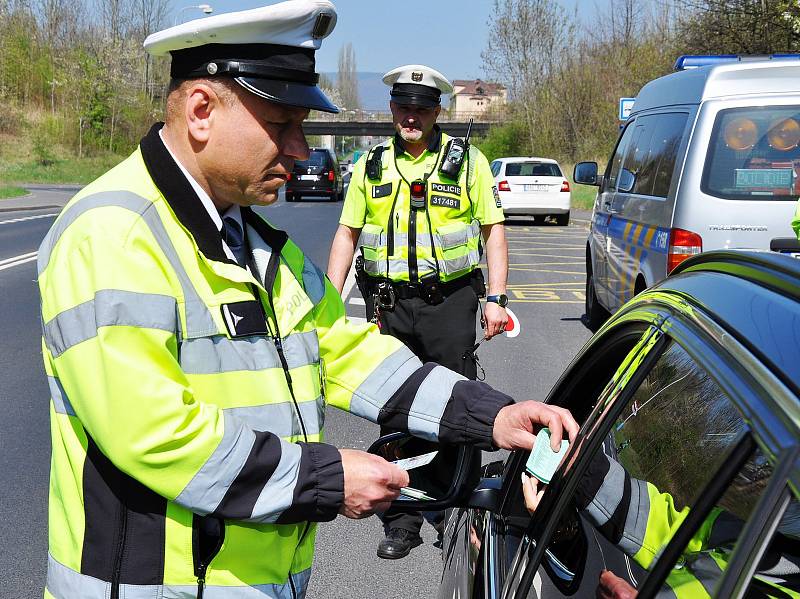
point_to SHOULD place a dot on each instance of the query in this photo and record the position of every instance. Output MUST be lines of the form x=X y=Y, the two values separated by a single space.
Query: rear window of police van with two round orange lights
x=754 y=154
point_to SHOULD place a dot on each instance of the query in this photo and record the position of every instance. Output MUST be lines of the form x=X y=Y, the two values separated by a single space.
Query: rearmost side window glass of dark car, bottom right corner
x=778 y=568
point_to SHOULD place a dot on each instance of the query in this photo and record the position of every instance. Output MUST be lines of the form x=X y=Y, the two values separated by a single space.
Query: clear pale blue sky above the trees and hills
x=448 y=35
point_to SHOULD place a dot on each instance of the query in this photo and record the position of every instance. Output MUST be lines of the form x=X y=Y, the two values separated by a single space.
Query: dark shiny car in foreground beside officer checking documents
x=684 y=478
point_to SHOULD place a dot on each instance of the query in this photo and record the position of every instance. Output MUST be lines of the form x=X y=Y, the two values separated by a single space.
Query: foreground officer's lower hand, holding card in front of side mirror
x=370 y=483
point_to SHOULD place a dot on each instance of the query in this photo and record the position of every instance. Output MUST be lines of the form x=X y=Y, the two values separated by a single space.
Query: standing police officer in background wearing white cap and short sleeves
x=420 y=223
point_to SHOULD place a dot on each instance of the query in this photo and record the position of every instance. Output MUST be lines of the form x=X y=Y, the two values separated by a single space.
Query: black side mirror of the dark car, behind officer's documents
x=440 y=476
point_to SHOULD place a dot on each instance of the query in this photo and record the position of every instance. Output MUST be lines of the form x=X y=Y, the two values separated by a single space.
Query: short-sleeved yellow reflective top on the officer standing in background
x=405 y=244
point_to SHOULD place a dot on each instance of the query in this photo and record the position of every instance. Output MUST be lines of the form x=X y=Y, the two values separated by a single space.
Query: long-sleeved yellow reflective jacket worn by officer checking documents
x=187 y=405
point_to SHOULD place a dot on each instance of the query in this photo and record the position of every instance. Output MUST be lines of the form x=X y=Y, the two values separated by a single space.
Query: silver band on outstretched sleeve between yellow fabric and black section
x=383 y=382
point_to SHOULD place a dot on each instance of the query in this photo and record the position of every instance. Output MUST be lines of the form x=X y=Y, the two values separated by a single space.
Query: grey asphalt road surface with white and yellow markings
x=546 y=290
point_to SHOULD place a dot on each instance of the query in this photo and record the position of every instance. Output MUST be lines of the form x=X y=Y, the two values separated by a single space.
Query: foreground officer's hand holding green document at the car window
x=514 y=425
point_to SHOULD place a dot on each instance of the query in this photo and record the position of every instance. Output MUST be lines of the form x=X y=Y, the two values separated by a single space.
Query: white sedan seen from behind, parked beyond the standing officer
x=531 y=186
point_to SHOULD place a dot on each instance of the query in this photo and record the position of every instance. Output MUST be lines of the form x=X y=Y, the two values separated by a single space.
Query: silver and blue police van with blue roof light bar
x=709 y=158
